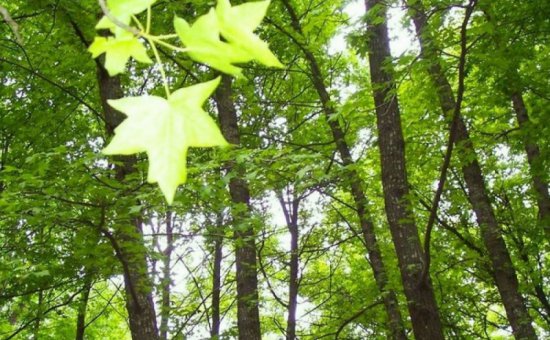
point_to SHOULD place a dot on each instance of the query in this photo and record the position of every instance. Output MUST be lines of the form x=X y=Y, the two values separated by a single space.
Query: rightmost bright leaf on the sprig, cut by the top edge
x=237 y=24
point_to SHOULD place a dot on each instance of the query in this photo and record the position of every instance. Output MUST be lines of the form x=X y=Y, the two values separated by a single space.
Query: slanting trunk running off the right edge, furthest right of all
x=540 y=184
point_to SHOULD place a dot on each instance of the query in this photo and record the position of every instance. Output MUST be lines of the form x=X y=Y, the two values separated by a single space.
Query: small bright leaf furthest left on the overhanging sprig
x=118 y=50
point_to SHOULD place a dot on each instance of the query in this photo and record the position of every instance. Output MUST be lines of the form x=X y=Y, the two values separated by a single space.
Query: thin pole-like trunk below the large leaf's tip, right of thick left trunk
x=166 y=279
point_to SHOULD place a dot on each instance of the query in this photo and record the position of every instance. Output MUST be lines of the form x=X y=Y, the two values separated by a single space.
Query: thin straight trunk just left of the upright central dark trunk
x=217 y=278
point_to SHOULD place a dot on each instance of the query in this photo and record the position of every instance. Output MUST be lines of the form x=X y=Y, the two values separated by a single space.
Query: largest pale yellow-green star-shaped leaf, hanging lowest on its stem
x=165 y=129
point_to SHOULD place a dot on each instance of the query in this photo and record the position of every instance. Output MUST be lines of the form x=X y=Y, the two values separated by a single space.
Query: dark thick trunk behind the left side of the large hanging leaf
x=128 y=239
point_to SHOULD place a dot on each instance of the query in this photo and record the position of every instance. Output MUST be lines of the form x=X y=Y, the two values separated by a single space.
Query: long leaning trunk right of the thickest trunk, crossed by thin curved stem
x=504 y=272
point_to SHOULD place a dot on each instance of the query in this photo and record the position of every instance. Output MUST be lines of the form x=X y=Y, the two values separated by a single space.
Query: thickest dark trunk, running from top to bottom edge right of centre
x=418 y=289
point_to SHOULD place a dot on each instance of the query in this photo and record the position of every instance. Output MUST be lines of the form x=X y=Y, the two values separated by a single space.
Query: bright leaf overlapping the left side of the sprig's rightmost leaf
x=202 y=40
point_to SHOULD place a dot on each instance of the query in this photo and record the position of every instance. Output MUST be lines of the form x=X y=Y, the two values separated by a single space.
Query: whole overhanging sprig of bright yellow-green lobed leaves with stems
x=167 y=128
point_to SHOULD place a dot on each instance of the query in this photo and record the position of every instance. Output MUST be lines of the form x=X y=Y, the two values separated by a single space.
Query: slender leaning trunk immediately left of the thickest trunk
x=395 y=323
